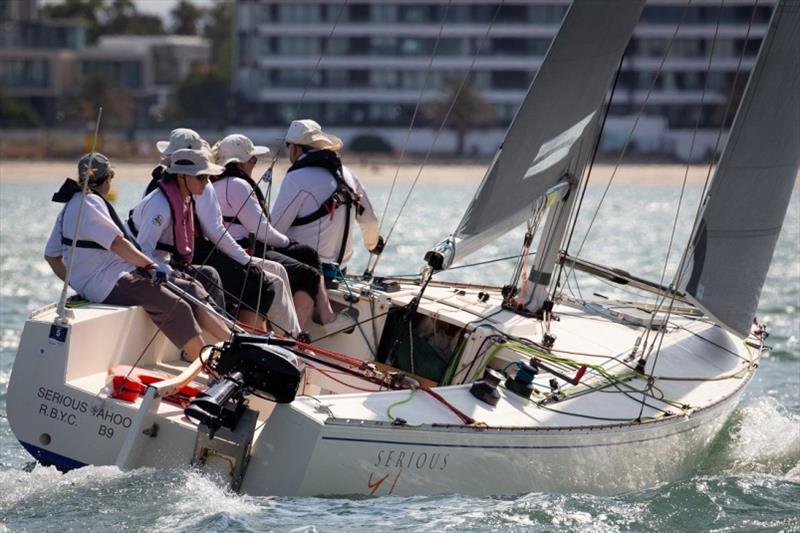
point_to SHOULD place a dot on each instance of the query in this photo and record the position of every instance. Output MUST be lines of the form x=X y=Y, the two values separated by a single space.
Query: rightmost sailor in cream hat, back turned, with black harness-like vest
x=320 y=199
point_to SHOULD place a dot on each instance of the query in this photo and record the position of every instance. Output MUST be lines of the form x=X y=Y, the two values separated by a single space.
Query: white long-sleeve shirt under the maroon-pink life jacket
x=153 y=220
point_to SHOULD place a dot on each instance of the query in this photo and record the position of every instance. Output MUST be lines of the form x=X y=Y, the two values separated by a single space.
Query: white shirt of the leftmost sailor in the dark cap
x=94 y=271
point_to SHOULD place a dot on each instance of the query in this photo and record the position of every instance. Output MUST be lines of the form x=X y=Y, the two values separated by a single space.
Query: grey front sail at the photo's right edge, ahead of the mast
x=734 y=240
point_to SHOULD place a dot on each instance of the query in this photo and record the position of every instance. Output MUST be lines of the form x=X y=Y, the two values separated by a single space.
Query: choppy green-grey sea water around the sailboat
x=750 y=479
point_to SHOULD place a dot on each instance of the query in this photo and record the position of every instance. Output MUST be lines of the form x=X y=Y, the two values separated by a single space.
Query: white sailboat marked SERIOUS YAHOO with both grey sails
x=446 y=387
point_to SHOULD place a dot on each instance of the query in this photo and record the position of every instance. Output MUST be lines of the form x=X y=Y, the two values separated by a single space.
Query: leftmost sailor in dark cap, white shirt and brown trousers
x=109 y=268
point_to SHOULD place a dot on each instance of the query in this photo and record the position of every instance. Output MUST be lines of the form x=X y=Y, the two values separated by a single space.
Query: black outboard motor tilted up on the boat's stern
x=248 y=364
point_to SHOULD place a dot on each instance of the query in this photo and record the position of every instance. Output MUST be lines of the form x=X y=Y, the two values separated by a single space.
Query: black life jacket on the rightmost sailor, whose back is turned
x=343 y=195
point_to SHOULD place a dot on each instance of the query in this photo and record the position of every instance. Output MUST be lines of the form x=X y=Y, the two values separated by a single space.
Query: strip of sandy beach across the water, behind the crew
x=383 y=172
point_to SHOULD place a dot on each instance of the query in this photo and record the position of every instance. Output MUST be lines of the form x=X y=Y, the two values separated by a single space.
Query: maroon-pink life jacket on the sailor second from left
x=184 y=223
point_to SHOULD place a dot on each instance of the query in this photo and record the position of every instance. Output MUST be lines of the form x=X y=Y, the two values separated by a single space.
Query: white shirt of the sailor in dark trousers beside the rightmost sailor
x=237 y=200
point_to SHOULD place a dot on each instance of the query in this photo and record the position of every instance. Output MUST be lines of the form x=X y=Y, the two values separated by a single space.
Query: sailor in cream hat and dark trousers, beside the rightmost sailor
x=246 y=214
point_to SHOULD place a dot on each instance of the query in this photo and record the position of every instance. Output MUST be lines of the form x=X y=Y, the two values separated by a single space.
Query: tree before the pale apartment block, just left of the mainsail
x=470 y=110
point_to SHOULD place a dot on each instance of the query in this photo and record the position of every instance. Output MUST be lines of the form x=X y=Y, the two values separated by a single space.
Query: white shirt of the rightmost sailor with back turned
x=302 y=192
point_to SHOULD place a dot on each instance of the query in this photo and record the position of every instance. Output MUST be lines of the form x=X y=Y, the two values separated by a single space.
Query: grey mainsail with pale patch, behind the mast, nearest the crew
x=553 y=132
